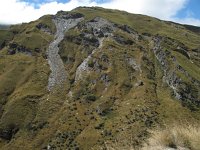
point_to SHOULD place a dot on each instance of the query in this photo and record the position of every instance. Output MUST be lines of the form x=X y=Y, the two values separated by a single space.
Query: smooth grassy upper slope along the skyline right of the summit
x=145 y=24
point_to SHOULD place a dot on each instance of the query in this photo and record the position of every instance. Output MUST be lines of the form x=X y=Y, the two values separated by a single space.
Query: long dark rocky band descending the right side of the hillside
x=183 y=91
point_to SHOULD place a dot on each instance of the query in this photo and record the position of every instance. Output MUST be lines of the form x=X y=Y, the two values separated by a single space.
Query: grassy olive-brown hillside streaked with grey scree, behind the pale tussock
x=93 y=77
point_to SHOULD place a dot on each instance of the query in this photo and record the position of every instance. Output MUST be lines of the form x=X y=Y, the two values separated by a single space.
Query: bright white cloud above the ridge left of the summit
x=14 y=11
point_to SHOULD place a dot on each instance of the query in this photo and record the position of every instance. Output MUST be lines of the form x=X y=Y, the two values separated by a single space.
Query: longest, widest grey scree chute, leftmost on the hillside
x=58 y=73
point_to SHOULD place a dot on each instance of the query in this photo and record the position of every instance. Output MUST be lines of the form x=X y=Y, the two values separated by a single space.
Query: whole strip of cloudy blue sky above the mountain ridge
x=181 y=11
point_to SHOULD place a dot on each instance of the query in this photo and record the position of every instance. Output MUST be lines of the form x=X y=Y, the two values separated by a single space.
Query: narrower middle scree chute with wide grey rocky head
x=100 y=29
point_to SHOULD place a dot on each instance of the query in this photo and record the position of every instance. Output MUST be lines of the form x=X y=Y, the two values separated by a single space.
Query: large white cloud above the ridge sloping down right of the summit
x=163 y=9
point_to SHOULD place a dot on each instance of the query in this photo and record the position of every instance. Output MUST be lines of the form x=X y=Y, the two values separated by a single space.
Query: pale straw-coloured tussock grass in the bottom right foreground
x=176 y=136
